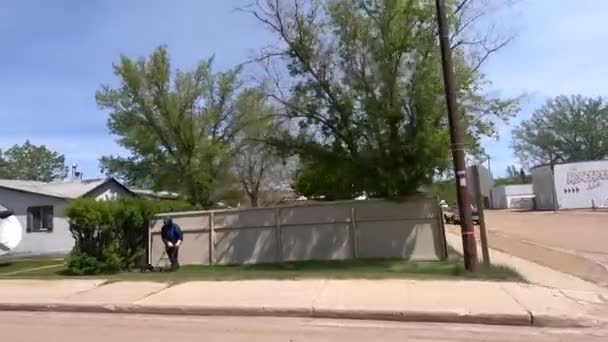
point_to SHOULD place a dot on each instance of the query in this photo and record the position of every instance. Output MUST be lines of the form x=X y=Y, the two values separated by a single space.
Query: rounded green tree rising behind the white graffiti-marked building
x=565 y=129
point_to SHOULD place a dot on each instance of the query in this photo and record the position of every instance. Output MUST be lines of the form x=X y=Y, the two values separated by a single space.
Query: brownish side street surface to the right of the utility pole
x=571 y=242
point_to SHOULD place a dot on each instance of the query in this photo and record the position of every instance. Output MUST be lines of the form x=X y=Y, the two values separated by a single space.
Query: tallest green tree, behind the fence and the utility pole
x=365 y=106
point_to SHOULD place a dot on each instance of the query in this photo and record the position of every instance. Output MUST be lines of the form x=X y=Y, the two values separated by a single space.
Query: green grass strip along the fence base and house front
x=343 y=269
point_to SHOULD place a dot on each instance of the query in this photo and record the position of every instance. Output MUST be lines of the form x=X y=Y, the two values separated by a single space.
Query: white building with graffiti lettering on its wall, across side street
x=573 y=186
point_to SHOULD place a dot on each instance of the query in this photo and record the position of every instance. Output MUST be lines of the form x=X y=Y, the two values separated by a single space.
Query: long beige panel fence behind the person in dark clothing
x=412 y=229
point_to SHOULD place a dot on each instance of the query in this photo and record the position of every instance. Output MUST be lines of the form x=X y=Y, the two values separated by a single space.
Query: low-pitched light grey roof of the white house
x=67 y=190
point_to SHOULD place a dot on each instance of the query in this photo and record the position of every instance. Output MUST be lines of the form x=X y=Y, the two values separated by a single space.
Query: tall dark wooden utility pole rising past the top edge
x=457 y=140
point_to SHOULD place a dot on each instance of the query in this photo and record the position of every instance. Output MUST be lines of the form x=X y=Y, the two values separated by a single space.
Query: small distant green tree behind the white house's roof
x=32 y=162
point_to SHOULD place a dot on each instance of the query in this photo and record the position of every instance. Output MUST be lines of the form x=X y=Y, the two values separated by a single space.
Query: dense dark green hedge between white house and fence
x=111 y=236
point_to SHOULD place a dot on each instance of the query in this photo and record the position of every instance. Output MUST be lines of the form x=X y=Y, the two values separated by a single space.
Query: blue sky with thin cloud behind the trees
x=56 y=54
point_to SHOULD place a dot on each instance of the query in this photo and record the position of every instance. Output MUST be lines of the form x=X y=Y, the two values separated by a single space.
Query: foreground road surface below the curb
x=77 y=327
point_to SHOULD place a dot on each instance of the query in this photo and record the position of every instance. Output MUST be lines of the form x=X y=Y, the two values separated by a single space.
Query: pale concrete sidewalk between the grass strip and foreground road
x=397 y=300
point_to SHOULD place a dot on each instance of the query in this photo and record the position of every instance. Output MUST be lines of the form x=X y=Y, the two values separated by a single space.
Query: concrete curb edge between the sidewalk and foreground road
x=398 y=316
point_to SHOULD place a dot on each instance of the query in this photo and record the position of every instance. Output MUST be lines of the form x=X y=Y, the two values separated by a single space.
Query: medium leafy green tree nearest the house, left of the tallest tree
x=179 y=126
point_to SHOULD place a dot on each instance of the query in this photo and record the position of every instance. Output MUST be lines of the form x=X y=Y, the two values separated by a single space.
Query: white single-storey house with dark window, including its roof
x=40 y=209
